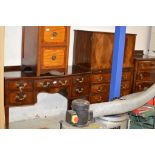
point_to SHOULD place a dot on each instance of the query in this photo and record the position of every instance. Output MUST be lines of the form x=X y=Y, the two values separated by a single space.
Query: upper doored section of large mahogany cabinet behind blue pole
x=95 y=49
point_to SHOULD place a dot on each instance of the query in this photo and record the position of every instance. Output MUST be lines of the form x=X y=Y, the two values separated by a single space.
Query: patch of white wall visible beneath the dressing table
x=47 y=105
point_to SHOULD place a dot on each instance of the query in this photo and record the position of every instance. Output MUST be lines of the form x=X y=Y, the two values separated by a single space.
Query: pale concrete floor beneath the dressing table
x=38 y=123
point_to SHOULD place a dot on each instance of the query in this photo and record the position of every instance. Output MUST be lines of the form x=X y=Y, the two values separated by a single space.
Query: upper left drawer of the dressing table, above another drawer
x=19 y=84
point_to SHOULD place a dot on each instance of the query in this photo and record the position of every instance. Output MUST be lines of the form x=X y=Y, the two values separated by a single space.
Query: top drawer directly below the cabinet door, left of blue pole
x=99 y=78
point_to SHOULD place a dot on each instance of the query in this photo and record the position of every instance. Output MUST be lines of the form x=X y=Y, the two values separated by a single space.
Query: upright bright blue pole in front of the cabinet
x=117 y=63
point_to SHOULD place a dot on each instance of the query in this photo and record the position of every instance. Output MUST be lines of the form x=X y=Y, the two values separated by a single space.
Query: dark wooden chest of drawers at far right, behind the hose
x=144 y=73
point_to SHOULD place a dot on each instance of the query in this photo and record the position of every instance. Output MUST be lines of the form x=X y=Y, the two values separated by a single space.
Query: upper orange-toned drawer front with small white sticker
x=54 y=34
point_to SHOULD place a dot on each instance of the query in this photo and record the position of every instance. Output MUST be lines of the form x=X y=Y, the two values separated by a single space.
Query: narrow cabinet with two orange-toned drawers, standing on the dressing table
x=45 y=48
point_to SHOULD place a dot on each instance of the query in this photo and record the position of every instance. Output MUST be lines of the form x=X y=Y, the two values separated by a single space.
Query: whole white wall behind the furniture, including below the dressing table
x=54 y=104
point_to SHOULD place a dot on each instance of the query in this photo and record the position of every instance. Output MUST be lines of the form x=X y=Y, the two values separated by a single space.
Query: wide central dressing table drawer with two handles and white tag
x=51 y=83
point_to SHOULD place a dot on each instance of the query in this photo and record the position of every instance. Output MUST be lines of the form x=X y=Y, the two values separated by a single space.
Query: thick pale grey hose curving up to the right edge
x=124 y=104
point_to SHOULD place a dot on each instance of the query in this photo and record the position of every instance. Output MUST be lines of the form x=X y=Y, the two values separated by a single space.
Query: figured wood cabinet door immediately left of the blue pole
x=102 y=49
